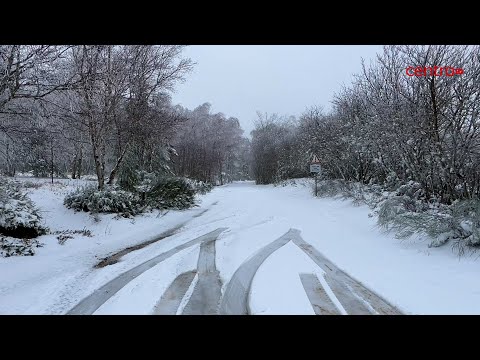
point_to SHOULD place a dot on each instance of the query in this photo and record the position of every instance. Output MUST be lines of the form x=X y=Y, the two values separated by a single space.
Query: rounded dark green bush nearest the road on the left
x=171 y=192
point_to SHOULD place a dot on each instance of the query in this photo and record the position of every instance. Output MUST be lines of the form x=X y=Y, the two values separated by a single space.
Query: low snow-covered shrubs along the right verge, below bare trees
x=405 y=211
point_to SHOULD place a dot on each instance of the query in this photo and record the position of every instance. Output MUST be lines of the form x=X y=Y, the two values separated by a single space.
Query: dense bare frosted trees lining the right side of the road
x=388 y=127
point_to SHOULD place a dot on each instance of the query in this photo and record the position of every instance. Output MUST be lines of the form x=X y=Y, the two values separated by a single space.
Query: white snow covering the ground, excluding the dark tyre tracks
x=411 y=276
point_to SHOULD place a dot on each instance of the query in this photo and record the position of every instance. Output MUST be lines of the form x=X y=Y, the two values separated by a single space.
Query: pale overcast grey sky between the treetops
x=238 y=80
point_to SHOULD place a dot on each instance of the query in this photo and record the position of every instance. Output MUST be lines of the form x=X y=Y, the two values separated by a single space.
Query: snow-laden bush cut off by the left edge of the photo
x=19 y=217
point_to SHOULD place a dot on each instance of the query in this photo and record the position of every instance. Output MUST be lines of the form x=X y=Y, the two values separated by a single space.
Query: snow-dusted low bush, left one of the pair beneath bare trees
x=109 y=200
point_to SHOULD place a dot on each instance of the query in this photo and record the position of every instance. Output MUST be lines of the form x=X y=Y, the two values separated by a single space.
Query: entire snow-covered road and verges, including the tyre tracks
x=245 y=249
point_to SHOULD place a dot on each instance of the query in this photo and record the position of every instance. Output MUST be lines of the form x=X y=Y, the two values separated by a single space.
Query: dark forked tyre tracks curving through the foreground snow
x=337 y=294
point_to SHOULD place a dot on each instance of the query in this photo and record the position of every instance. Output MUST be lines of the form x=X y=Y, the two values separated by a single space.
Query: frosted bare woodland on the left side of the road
x=107 y=110
